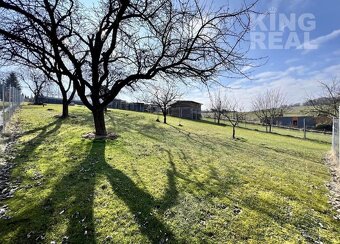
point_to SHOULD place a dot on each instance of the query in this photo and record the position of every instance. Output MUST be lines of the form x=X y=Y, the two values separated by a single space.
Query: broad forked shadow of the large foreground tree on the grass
x=70 y=204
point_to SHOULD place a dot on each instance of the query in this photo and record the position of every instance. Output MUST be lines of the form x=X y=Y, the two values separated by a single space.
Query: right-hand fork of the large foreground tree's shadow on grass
x=140 y=203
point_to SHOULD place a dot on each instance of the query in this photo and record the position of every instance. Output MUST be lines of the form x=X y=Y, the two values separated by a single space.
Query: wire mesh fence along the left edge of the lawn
x=10 y=100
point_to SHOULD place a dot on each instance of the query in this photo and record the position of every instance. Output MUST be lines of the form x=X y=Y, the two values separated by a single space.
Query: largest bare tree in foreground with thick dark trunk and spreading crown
x=122 y=42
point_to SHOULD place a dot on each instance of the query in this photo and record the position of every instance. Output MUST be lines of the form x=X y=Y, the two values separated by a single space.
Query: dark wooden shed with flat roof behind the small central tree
x=186 y=109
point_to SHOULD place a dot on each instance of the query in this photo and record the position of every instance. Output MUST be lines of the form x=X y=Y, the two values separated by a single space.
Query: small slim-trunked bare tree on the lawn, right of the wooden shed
x=234 y=113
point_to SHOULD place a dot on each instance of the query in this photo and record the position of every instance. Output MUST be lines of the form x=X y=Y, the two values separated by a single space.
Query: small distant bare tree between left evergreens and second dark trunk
x=37 y=83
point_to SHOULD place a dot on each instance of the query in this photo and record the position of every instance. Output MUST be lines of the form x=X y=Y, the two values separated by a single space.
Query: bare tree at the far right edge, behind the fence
x=329 y=101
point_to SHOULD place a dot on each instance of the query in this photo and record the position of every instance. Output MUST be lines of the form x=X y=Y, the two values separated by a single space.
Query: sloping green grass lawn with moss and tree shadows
x=158 y=183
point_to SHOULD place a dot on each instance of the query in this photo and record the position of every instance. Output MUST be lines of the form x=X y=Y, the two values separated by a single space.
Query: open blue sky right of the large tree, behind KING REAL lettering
x=296 y=53
